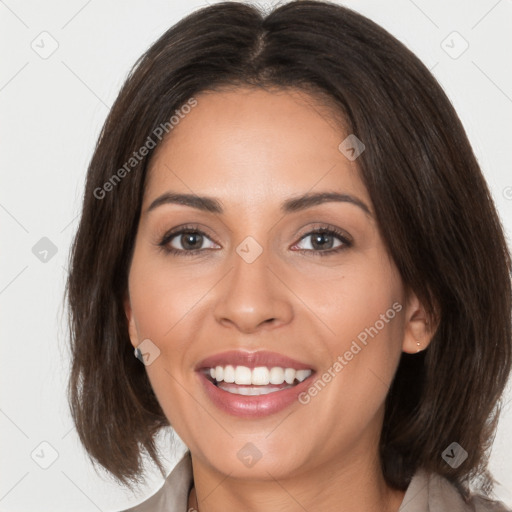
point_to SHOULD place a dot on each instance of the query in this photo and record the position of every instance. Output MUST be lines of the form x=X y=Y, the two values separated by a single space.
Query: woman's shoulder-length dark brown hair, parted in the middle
x=434 y=211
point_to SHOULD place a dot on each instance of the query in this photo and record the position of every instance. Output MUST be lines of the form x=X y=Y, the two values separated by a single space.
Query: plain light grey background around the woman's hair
x=52 y=110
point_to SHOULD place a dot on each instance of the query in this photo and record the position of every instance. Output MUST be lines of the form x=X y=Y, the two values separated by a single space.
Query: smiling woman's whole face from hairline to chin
x=263 y=277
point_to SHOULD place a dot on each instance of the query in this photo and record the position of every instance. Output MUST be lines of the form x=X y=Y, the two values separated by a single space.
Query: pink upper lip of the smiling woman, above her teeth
x=251 y=360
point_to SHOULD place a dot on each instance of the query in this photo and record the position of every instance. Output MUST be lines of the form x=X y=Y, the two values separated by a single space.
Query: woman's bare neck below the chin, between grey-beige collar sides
x=357 y=488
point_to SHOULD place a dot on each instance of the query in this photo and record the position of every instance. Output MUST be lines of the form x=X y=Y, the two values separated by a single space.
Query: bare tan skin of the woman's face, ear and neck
x=253 y=149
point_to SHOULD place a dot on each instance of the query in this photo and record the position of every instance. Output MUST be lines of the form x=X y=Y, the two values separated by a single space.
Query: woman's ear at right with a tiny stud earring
x=419 y=328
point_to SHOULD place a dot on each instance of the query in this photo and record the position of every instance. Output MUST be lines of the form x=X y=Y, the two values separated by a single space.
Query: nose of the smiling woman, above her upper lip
x=252 y=296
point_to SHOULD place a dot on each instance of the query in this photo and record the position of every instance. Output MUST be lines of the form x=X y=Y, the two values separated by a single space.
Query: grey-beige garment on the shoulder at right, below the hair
x=430 y=491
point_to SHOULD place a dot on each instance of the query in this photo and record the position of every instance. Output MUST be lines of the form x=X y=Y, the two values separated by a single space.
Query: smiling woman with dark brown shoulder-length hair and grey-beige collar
x=279 y=221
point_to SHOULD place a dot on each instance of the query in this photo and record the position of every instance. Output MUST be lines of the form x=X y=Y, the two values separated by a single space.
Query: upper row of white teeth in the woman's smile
x=259 y=376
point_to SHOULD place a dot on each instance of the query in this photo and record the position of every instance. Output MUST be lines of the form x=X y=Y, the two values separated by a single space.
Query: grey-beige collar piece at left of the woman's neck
x=173 y=495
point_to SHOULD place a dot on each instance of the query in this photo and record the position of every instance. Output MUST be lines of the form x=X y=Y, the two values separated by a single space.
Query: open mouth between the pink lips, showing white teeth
x=260 y=380
